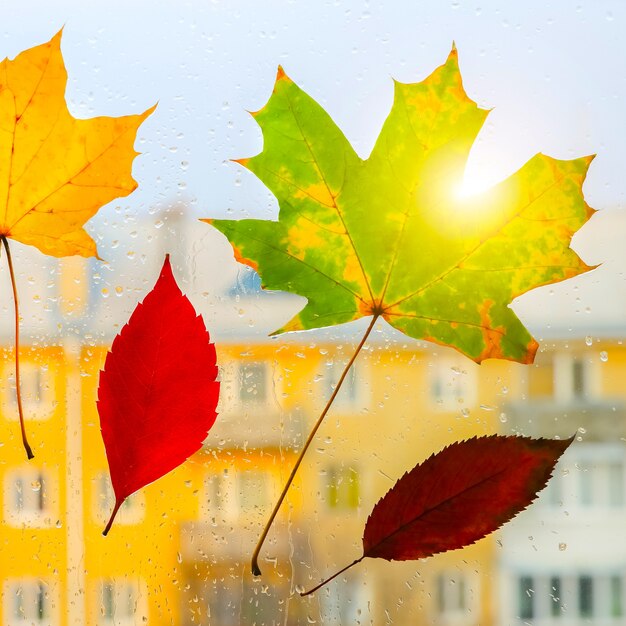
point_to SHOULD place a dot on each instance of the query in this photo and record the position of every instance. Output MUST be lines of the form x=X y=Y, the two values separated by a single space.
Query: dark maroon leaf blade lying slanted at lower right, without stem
x=460 y=495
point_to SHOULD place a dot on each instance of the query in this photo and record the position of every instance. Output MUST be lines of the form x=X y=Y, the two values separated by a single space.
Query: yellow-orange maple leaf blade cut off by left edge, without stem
x=56 y=171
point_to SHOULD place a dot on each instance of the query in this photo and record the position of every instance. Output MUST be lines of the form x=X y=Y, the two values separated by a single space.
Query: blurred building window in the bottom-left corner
x=27 y=602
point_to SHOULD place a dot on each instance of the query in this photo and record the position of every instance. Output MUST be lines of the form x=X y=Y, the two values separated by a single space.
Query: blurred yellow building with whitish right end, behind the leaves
x=178 y=553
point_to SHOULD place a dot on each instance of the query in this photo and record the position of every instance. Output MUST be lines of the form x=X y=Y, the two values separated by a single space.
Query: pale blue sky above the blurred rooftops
x=554 y=72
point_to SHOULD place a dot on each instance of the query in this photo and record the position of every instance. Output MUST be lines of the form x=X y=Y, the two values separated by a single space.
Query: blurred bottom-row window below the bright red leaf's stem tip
x=120 y=602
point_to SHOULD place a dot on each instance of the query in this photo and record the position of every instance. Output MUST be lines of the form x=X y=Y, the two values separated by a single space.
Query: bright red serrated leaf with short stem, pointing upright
x=157 y=394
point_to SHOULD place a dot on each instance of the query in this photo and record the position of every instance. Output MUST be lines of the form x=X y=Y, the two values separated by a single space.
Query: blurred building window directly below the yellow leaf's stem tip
x=28 y=498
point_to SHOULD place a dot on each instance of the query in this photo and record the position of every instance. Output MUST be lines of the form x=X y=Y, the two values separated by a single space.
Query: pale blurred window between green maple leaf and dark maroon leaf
x=452 y=383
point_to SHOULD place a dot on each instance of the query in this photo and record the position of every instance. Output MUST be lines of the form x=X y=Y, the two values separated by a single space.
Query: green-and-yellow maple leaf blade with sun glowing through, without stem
x=389 y=236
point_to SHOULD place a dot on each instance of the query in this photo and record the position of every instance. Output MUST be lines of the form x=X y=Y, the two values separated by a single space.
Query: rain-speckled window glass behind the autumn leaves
x=551 y=75
